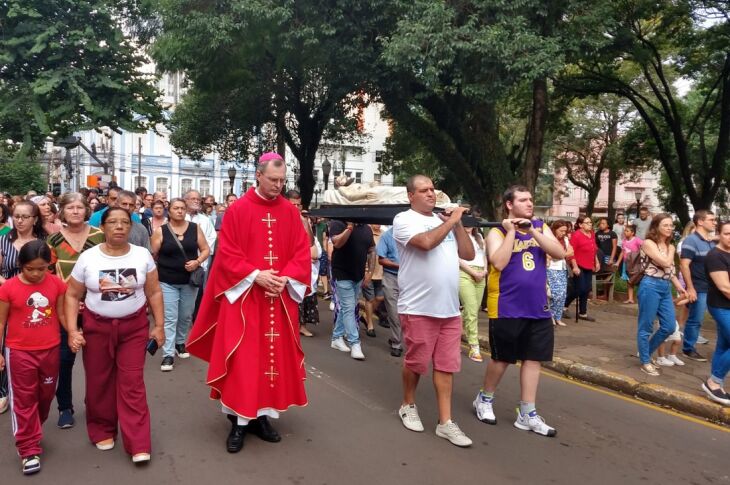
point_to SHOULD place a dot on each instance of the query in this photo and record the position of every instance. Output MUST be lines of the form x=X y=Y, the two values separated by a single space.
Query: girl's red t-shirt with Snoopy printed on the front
x=32 y=320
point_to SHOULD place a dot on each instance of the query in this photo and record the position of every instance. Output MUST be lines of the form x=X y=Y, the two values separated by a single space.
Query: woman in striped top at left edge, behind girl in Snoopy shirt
x=28 y=227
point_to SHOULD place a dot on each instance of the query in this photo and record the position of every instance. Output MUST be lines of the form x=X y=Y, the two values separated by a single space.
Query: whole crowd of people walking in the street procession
x=114 y=274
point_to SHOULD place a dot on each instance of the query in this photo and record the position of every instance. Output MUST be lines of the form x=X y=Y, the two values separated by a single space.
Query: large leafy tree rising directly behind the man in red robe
x=307 y=63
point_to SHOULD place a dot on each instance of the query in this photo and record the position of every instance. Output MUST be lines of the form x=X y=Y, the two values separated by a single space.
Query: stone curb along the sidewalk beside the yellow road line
x=653 y=393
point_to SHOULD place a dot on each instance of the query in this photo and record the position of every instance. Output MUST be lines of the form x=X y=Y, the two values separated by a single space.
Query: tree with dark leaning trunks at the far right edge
x=654 y=45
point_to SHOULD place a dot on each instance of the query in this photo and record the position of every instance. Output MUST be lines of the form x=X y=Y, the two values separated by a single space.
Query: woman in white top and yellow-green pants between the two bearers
x=472 y=280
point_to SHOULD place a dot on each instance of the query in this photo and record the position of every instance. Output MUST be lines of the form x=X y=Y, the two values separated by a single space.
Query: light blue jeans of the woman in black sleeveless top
x=179 y=304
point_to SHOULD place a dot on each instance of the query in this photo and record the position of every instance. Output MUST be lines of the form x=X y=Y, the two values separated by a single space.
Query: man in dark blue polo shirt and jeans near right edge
x=692 y=265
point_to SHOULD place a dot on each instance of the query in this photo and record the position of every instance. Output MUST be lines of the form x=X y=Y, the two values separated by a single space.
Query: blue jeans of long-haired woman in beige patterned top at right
x=655 y=300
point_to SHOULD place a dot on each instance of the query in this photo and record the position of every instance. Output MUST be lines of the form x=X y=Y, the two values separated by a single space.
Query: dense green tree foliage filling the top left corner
x=70 y=66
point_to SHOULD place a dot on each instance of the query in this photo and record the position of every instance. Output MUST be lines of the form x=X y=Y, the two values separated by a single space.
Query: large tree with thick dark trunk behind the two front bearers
x=451 y=65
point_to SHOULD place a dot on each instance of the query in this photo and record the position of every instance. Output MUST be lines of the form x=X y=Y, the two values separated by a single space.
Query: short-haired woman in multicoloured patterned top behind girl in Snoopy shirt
x=66 y=246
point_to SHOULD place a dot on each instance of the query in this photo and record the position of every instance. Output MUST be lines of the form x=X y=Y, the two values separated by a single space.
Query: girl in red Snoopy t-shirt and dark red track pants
x=31 y=305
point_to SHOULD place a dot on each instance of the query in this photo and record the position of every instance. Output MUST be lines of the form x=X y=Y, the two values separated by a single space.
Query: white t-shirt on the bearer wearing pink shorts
x=428 y=281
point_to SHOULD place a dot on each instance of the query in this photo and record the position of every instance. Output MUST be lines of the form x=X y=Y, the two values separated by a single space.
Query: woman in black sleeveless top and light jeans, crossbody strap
x=180 y=248
